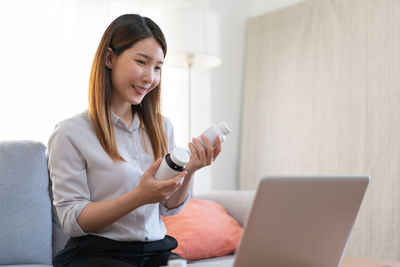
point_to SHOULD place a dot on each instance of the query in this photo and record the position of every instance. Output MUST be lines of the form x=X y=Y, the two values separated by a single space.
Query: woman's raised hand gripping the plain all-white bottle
x=201 y=156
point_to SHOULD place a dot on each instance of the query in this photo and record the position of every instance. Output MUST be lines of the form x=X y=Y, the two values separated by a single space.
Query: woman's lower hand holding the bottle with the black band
x=152 y=190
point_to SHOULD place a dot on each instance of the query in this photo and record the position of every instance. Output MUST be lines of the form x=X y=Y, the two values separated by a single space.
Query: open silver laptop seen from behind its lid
x=298 y=222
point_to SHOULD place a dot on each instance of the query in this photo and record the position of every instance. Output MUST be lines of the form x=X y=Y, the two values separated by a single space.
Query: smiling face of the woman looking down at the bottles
x=135 y=72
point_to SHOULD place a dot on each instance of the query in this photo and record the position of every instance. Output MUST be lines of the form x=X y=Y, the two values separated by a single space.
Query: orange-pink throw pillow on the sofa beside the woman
x=203 y=229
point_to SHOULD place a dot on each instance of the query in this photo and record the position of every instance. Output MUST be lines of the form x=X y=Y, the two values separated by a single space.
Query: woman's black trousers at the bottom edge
x=99 y=251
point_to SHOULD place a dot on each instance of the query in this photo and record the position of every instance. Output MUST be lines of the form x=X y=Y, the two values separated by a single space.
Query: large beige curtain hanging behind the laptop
x=322 y=97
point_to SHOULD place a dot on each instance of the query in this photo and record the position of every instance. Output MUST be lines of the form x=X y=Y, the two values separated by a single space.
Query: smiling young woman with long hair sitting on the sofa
x=102 y=162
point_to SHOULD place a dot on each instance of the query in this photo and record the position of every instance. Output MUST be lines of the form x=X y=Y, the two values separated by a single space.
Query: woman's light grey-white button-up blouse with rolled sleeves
x=82 y=172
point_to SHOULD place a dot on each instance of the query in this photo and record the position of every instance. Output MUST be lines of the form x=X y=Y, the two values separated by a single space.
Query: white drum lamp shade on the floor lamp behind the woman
x=192 y=32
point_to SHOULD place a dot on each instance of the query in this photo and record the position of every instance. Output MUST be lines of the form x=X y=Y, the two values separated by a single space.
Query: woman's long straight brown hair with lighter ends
x=122 y=33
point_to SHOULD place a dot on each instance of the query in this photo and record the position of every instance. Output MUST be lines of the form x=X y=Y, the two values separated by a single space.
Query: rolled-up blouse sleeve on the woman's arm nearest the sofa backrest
x=69 y=181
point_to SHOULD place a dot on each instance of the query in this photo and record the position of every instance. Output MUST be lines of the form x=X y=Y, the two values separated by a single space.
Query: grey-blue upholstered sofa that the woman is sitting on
x=30 y=232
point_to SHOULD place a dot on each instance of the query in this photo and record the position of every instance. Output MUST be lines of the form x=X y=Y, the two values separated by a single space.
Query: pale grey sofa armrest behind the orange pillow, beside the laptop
x=236 y=202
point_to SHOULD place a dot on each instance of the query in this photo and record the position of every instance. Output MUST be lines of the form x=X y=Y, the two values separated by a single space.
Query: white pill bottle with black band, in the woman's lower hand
x=172 y=164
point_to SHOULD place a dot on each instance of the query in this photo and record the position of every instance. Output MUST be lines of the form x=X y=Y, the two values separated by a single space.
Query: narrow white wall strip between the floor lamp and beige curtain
x=227 y=80
